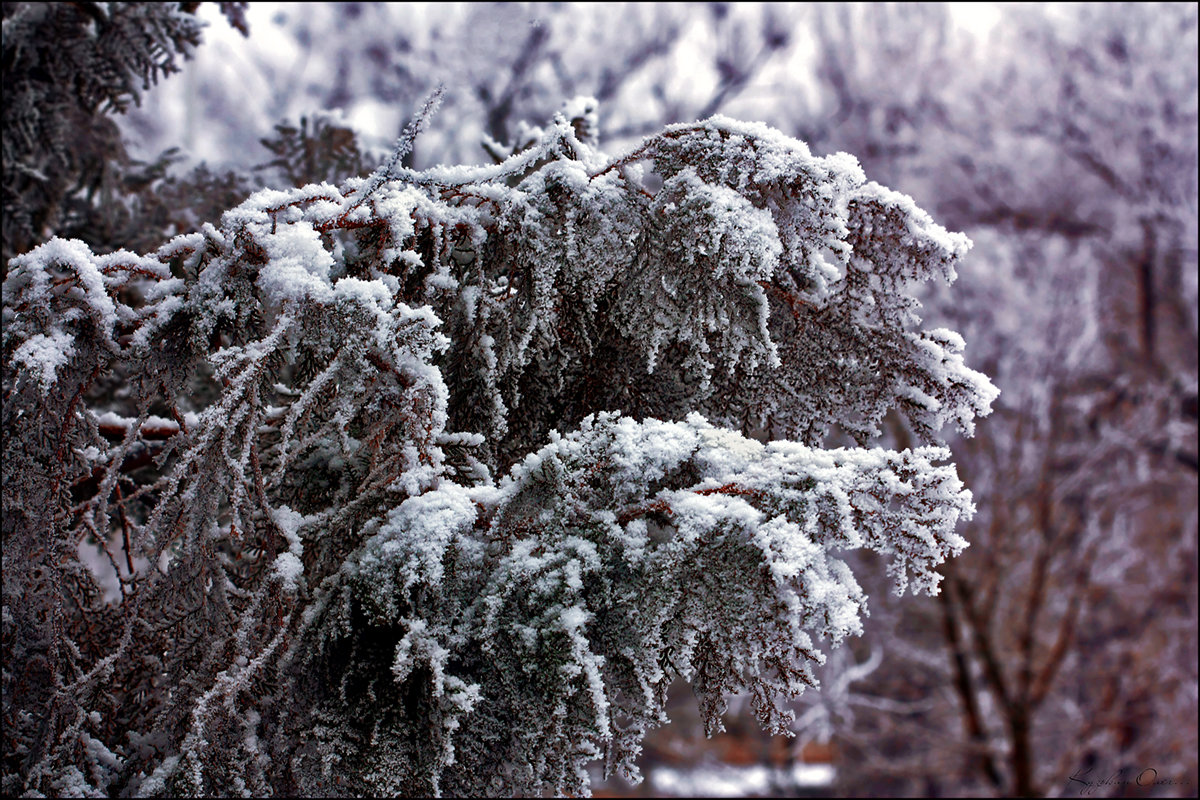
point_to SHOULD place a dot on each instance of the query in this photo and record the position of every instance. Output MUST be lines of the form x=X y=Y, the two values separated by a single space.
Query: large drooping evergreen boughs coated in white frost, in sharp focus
x=431 y=483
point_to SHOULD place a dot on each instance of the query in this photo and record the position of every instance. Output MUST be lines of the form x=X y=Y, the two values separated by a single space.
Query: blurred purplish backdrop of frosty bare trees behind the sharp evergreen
x=1061 y=657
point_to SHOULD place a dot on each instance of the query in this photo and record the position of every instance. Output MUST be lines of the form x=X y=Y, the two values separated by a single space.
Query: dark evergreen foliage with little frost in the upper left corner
x=68 y=67
